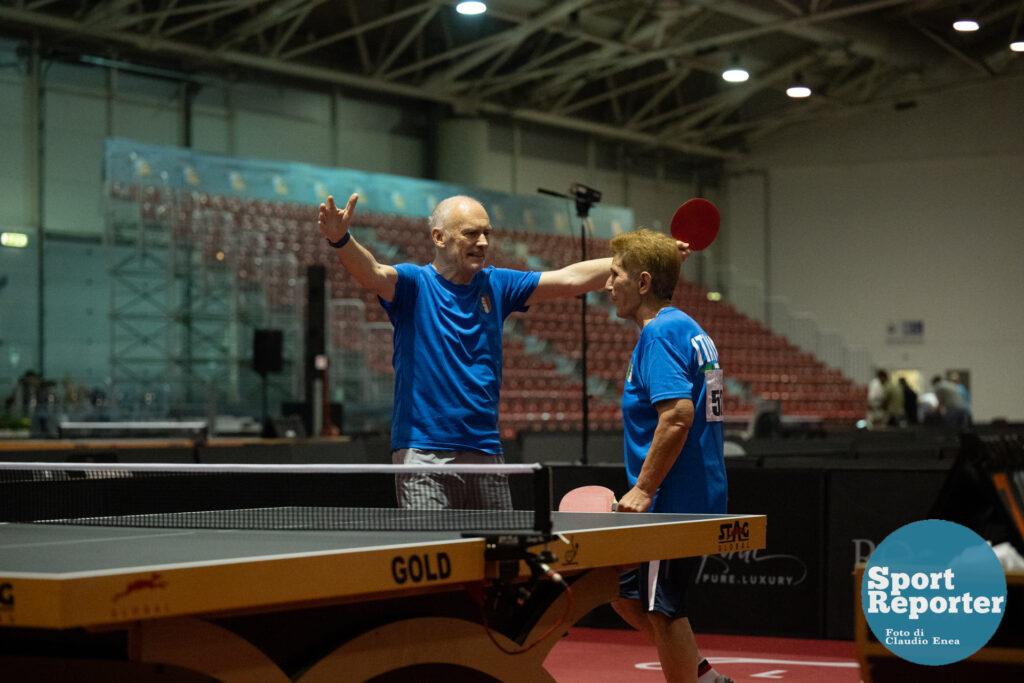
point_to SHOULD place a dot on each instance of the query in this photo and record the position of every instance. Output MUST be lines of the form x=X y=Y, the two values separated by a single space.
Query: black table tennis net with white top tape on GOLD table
x=274 y=498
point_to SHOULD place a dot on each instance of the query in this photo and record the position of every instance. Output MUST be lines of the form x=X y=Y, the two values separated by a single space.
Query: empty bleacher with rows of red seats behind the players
x=269 y=246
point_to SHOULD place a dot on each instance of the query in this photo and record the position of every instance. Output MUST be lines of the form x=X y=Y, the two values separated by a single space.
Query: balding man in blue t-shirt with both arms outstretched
x=448 y=319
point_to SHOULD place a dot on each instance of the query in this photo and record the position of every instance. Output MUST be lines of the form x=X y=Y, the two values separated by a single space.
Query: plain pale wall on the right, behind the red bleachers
x=911 y=216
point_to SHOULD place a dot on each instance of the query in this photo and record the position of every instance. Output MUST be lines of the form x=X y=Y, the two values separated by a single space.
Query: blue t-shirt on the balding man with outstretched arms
x=448 y=356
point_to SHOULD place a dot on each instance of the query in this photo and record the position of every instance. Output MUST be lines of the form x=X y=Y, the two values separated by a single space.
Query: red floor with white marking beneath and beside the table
x=594 y=656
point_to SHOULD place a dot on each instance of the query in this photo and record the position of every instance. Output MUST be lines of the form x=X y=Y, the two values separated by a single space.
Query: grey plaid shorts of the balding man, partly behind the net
x=451 y=492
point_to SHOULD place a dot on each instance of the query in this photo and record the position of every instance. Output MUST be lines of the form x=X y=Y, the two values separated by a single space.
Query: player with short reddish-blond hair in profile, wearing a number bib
x=672 y=420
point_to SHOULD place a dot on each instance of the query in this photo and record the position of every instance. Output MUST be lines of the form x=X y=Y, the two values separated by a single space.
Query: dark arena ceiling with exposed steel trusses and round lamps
x=647 y=72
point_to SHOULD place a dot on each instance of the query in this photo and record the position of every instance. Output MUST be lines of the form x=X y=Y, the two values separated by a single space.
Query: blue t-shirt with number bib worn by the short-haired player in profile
x=675 y=359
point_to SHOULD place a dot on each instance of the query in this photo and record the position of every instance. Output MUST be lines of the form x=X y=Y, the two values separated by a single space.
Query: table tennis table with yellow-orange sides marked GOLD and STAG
x=121 y=604
